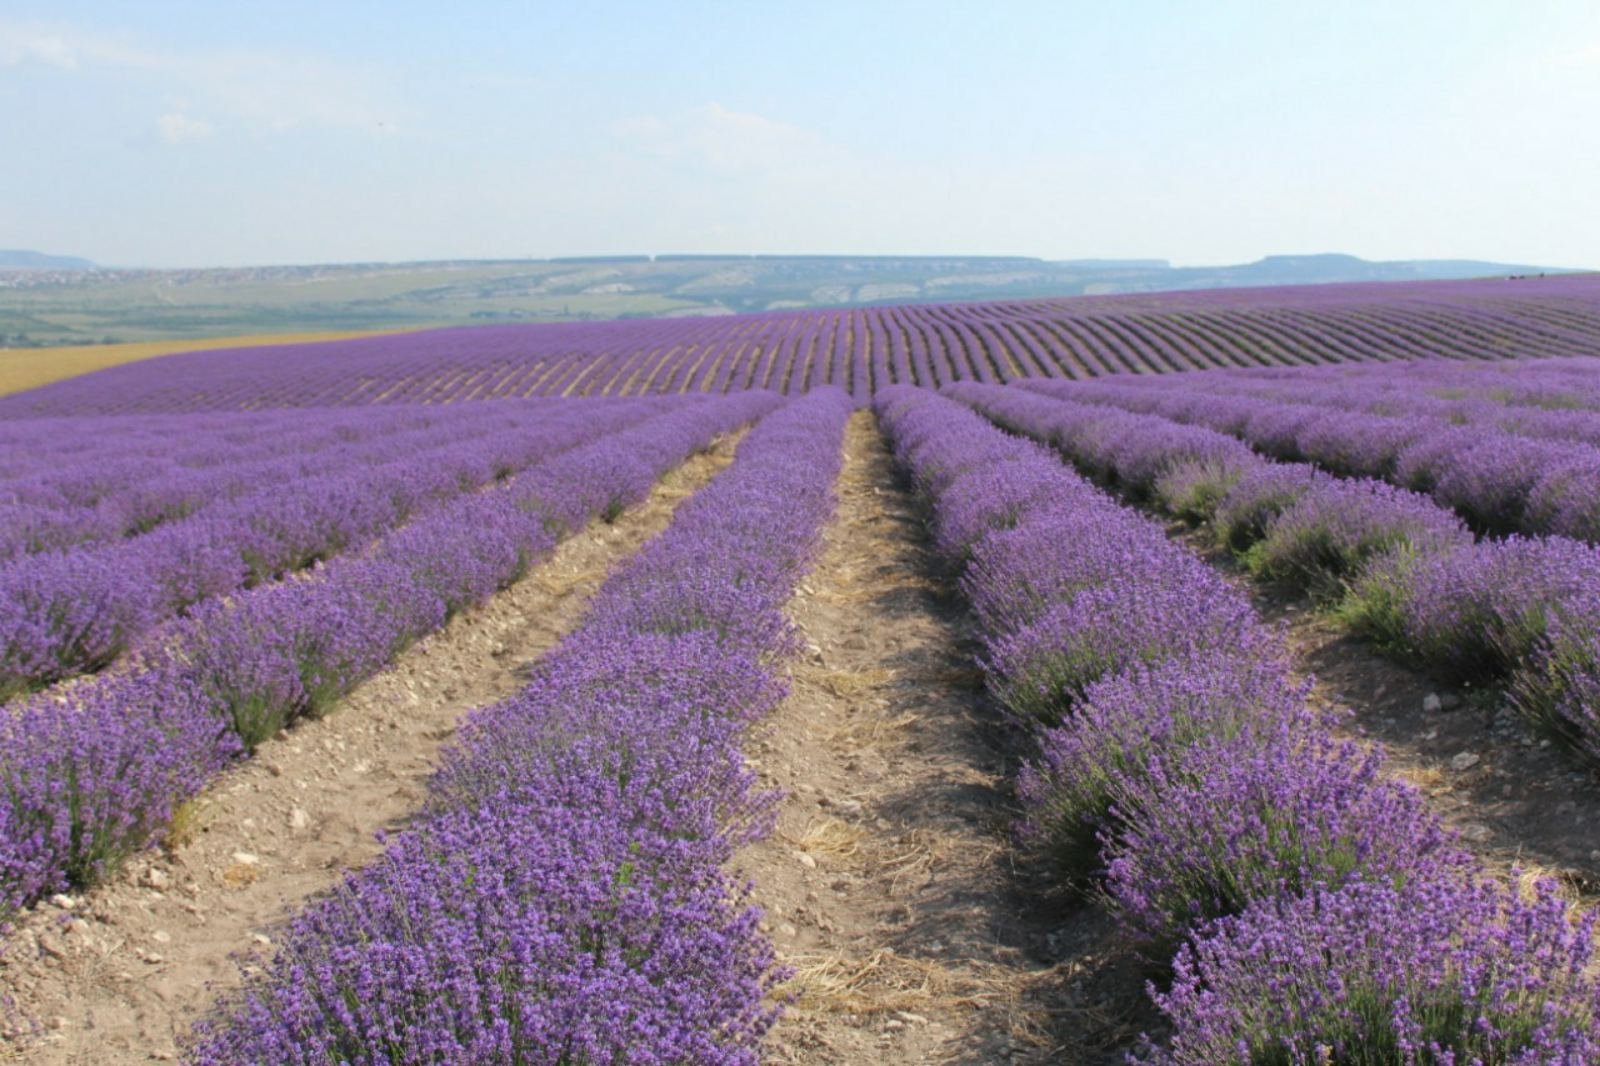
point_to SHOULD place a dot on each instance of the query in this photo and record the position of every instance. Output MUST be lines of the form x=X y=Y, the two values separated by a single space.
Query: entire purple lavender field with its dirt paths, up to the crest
x=1191 y=679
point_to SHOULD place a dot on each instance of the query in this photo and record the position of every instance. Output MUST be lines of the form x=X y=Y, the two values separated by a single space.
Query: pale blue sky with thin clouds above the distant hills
x=217 y=134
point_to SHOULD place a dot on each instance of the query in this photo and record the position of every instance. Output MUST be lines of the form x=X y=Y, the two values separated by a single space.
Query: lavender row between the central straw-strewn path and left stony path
x=562 y=897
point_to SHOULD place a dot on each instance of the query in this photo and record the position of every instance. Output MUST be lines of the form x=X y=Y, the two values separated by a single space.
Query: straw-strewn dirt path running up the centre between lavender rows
x=890 y=886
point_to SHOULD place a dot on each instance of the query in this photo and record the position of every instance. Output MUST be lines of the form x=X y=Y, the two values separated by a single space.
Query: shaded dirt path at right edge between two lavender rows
x=1514 y=796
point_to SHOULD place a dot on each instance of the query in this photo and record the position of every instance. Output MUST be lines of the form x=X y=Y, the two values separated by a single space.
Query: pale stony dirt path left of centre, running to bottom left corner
x=121 y=974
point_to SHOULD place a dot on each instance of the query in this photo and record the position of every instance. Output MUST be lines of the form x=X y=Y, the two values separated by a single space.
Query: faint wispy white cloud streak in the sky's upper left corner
x=254 y=87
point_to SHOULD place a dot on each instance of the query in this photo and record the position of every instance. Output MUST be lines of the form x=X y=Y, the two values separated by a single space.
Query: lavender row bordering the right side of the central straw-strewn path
x=1311 y=908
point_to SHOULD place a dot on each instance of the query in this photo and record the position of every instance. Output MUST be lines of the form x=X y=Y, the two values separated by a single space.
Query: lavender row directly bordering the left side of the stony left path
x=94 y=772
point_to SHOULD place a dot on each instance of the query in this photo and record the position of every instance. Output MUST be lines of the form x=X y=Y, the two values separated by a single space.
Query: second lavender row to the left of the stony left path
x=65 y=614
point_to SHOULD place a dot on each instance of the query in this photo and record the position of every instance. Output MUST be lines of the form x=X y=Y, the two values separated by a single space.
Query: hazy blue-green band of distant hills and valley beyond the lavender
x=57 y=300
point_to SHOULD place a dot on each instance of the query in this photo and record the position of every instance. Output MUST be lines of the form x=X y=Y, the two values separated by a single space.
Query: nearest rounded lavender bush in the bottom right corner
x=1425 y=974
